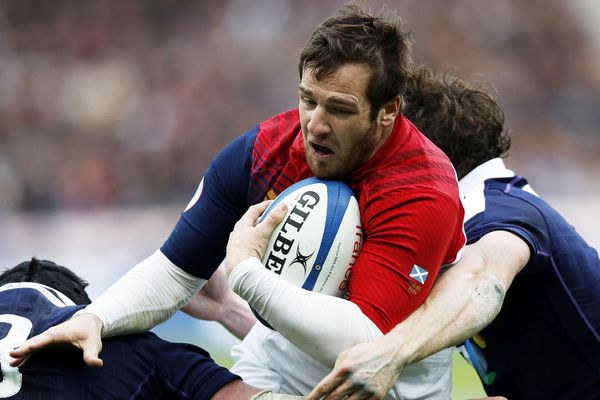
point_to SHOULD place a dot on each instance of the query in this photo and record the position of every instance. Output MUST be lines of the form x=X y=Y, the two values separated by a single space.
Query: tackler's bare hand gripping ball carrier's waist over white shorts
x=365 y=371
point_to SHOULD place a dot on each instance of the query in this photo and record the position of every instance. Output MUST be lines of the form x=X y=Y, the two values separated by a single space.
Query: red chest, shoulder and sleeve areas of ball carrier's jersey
x=410 y=210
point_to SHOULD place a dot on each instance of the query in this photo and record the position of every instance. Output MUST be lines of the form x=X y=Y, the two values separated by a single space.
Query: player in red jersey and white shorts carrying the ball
x=348 y=127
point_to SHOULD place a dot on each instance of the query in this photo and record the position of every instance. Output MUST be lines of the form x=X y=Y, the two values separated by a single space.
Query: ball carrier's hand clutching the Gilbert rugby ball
x=250 y=237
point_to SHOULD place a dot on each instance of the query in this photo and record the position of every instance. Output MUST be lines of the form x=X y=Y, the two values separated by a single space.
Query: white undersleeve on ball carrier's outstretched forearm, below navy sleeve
x=150 y=293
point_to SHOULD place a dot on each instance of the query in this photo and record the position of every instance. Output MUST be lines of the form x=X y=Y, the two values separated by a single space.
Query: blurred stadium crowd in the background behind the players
x=124 y=103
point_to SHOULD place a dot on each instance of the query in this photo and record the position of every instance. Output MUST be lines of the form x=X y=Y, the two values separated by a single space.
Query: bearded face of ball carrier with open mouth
x=339 y=135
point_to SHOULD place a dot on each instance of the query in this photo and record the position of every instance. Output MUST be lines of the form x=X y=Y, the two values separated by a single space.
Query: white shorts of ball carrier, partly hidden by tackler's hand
x=267 y=360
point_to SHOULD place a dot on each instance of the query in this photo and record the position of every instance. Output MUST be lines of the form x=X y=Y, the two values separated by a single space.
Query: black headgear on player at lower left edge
x=48 y=273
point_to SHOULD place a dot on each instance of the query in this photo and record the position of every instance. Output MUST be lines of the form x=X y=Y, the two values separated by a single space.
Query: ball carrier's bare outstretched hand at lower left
x=82 y=331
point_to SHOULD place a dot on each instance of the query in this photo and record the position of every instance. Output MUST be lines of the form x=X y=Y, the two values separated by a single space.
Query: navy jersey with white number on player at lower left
x=135 y=366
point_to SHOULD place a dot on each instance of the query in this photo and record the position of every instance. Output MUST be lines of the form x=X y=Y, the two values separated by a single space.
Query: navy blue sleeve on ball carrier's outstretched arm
x=197 y=243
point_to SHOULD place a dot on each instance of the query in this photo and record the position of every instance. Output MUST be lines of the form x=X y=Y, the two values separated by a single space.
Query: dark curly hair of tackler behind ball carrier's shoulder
x=462 y=119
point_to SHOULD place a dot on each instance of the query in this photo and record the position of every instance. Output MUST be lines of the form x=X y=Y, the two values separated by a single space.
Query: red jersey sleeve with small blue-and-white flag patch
x=408 y=239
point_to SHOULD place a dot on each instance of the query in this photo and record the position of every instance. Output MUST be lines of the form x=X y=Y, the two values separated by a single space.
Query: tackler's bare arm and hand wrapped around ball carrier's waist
x=464 y=299
